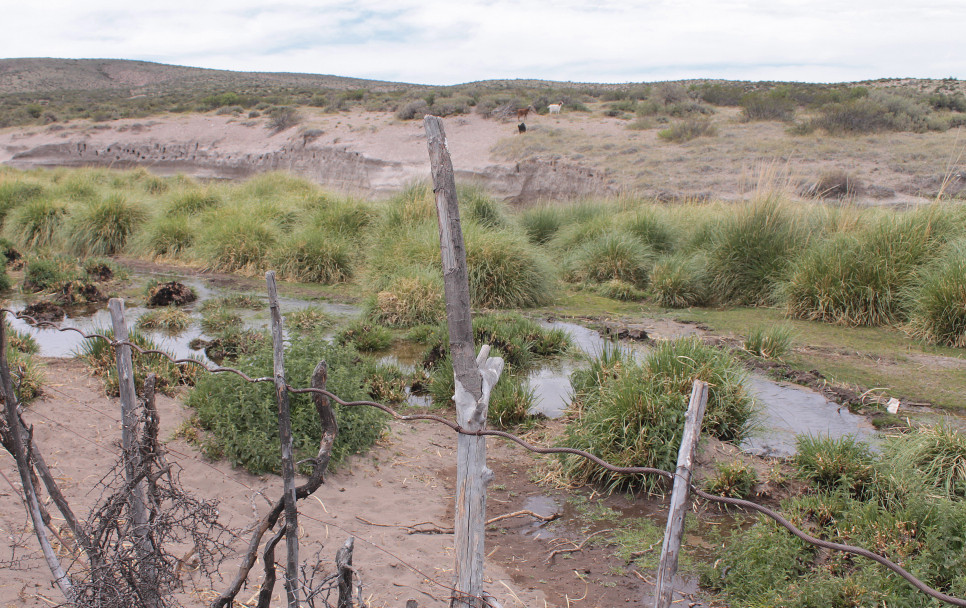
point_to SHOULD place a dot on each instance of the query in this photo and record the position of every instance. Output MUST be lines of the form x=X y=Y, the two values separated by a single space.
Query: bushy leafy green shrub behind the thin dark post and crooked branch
x=242 y=418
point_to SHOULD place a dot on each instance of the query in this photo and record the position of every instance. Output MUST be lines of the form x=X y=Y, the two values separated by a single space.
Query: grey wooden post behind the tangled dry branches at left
x=132 y=459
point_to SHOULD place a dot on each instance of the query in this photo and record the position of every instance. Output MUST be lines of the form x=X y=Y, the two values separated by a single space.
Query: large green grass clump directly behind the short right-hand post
x=632 y=414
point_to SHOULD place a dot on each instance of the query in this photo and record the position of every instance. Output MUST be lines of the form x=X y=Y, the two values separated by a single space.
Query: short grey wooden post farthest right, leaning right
x=668 y=566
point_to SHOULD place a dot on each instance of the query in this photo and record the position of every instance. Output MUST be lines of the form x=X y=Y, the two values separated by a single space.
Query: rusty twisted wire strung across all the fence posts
x=782 y=521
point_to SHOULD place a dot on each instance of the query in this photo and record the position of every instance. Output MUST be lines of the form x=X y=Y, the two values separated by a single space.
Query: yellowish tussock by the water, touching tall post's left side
x=412 y=297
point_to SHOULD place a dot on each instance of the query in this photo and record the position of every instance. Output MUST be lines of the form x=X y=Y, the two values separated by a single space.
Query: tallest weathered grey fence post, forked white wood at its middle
x=475 y=378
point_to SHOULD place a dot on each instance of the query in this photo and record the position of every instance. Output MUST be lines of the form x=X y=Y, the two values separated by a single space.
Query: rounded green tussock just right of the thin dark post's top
x=311 y=256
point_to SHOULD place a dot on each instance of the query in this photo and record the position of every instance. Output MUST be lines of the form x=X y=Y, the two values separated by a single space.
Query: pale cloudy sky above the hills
x=455 y=41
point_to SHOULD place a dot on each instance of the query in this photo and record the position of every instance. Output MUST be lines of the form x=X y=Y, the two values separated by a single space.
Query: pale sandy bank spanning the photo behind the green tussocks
x=890 y=168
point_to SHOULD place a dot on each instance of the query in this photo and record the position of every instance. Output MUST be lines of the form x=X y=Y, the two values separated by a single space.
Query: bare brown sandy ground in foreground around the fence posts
x=406 y=480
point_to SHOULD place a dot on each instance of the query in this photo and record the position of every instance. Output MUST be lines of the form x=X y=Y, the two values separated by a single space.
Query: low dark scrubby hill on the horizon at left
x=43 y=75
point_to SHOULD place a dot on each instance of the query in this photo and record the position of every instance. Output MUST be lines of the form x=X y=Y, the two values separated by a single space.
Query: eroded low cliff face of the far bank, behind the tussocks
x=329 y=166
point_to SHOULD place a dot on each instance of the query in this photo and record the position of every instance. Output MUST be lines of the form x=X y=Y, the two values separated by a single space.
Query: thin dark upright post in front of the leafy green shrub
x=285 y=439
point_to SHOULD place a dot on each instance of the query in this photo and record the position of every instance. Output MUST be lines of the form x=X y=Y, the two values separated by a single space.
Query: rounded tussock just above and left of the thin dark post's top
x=236 y=241
